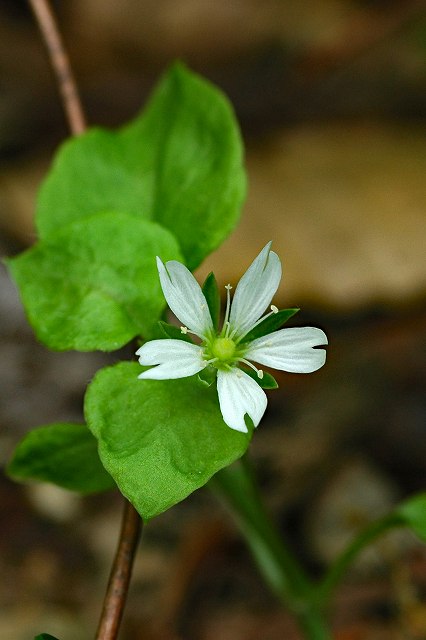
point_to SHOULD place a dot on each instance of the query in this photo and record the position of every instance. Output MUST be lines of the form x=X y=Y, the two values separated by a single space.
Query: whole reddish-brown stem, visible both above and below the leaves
x=131 y=527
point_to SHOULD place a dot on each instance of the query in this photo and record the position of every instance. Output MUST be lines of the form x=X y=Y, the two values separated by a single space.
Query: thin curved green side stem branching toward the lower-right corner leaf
x=340 y=567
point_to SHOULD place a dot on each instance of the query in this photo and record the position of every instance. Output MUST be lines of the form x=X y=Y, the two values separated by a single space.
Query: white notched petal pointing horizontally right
x=290 y=349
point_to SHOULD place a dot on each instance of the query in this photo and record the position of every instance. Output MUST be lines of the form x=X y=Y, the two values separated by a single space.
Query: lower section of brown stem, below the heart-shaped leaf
x=121 y=570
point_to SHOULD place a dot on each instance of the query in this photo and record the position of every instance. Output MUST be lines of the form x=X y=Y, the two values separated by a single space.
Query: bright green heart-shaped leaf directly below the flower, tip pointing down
x=159 y=439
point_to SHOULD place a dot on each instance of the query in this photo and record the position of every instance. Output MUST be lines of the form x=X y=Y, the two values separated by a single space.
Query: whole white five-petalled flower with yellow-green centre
x=286 y=349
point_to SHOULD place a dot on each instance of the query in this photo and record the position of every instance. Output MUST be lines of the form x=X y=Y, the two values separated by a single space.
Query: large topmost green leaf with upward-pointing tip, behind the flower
x=178 y=163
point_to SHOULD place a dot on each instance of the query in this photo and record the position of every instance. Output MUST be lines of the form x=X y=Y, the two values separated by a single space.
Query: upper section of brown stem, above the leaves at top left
x=60 y=64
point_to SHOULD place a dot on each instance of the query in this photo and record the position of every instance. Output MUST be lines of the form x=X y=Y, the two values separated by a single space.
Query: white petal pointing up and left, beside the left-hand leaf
x=185 y=297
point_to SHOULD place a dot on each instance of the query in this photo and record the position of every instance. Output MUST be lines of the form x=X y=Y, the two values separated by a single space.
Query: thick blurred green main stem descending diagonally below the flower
x=281 y=570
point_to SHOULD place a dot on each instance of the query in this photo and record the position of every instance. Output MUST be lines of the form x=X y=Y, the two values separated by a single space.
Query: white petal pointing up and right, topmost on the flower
x=255 y=291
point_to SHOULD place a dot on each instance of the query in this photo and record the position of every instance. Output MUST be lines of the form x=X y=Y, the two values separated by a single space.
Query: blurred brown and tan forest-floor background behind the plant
x=331 y=97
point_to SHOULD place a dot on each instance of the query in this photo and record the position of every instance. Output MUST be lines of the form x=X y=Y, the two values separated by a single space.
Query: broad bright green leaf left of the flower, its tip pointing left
x=94 y=284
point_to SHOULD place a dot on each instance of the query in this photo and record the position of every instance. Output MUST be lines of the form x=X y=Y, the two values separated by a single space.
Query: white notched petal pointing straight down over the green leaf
x=239 y=394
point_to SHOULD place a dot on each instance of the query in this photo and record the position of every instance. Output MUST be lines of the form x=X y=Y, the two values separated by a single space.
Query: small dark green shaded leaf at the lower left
x=64 y=454
